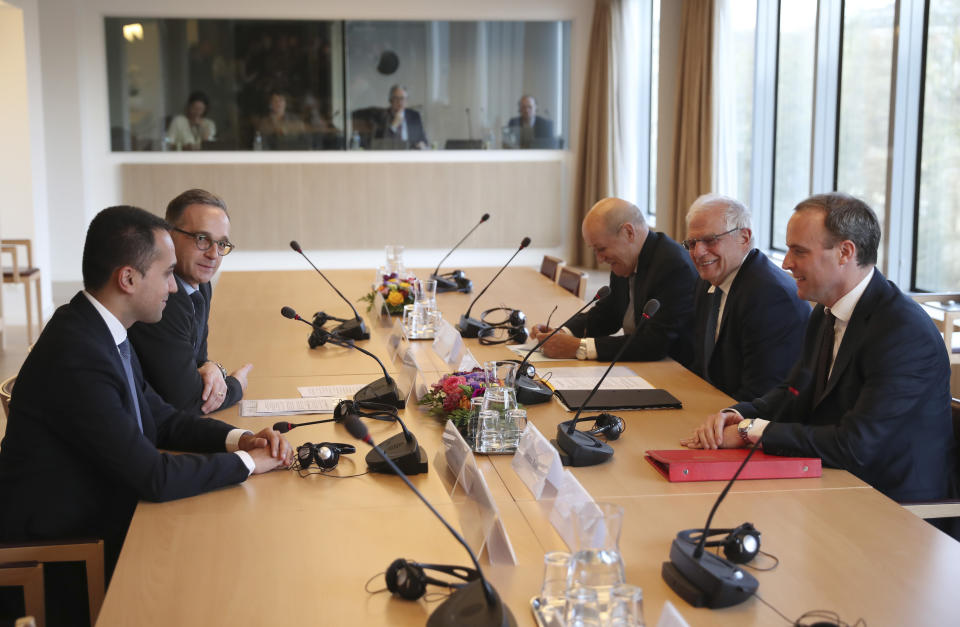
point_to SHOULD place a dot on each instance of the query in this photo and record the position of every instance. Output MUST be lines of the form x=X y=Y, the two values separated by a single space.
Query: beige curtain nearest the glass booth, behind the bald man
x=595 y=177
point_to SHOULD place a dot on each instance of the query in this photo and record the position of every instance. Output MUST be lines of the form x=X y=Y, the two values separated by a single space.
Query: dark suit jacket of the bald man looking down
x=664 y=272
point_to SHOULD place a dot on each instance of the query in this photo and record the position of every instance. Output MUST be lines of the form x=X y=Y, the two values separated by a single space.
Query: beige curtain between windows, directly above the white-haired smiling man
x=692 y=148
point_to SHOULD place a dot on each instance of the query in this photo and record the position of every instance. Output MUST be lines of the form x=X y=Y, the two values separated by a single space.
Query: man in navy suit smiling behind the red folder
x=878 y=404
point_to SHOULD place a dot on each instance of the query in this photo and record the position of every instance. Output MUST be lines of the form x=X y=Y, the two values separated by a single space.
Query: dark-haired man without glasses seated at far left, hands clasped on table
x=82 y=440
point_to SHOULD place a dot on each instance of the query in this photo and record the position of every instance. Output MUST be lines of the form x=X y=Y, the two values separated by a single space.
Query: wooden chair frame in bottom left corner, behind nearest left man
x=90 y=552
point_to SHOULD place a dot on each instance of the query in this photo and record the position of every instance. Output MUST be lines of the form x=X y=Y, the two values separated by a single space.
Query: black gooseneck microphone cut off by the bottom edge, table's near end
x=477 y=603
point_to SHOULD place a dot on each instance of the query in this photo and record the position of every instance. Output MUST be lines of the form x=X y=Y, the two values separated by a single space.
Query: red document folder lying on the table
x=721 y=464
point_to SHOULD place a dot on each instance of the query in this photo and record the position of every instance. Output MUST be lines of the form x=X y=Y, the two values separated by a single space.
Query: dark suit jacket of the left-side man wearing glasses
x=169 y=357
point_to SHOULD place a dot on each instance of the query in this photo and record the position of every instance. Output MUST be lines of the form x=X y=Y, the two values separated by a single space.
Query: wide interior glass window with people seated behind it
x=204 y=84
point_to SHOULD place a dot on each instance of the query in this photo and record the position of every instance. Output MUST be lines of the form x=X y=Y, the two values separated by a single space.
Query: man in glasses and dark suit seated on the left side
x=173 y=352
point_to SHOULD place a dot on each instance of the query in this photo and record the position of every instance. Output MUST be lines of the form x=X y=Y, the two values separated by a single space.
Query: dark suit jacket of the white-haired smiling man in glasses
x=760 y=334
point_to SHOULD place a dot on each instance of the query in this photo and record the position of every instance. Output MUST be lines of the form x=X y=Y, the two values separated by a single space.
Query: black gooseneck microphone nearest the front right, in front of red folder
x=700 y=577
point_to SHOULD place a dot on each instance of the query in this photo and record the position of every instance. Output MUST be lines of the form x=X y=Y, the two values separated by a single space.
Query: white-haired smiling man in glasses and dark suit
x=748 y=318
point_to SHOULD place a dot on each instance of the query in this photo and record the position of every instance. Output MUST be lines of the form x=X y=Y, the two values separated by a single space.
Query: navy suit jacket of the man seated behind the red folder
x=885 y=412
